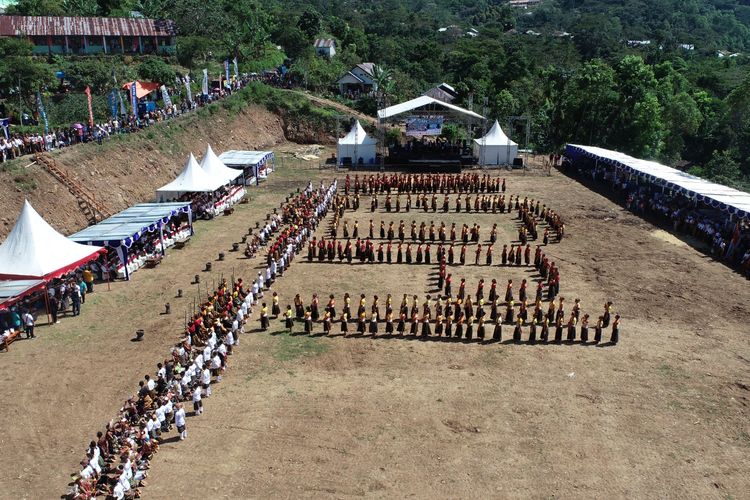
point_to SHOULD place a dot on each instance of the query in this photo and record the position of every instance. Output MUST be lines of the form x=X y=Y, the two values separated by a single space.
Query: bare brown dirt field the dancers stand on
x=662 y=414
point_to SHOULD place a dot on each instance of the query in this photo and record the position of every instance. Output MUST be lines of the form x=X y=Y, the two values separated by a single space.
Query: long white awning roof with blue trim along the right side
x=718 y=196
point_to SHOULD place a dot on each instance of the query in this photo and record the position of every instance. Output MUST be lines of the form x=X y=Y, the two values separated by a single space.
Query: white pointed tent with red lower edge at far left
x=33 y=249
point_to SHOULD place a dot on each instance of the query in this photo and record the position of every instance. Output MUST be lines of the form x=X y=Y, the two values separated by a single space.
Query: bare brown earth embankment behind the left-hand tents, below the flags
x=127 y=168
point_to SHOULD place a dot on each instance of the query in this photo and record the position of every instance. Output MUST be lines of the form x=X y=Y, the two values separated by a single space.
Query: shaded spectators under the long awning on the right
x=728 y=239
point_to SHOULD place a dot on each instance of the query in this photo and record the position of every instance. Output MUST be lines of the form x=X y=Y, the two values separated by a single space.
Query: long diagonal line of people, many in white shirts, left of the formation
x=117 y=461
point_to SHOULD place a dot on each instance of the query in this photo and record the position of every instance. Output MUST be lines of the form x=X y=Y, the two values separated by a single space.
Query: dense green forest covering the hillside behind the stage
x=662 y=79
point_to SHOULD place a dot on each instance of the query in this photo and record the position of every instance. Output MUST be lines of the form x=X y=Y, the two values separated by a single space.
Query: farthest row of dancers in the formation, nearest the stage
x=423 y=183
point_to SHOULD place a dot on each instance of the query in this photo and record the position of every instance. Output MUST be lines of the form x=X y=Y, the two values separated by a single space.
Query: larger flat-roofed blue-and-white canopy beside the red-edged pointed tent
x=122 y=230
